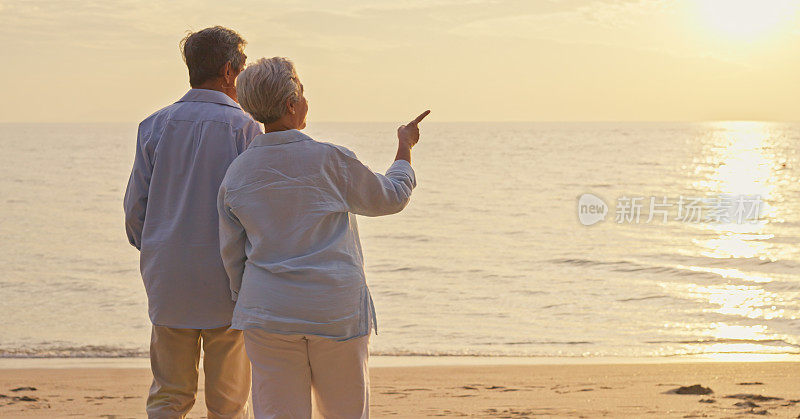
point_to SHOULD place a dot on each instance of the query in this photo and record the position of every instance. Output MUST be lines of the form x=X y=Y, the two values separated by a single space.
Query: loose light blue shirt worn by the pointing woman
x=289 y=239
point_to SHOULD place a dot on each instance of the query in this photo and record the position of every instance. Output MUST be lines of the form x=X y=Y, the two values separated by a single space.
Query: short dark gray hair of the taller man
x=205 y=52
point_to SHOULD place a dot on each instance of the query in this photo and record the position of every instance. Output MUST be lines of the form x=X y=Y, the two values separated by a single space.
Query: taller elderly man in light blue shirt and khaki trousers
x=182 y=153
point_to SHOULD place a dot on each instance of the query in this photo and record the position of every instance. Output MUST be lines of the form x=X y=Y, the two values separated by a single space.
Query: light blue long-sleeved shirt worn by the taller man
x=182 y=153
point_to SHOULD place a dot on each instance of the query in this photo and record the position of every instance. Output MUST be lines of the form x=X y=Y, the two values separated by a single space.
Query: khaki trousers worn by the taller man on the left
x=174 y=359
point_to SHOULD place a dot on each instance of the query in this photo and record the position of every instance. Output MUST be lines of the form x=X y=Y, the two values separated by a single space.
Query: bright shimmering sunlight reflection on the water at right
x=739 y=160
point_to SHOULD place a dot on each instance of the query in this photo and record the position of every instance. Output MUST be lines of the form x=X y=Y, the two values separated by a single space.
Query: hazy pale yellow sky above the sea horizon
x=387 y=60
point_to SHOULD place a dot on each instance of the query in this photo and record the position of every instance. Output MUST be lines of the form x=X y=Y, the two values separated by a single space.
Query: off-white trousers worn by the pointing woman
x=287 y=367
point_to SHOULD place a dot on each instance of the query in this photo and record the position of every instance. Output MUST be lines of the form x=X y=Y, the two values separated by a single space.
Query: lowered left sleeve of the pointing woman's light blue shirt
x=232 y=240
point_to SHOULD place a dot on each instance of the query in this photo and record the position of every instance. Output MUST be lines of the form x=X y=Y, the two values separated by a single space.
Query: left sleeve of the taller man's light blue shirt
x=135 y=202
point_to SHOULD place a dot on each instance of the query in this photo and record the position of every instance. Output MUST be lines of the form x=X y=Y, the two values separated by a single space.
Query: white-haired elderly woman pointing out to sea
x=290 y=245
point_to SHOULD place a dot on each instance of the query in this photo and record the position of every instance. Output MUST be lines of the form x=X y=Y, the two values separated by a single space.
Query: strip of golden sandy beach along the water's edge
x=505 y=391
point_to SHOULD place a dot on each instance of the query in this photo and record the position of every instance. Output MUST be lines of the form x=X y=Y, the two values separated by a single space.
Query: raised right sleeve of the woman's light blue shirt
x=373 y=194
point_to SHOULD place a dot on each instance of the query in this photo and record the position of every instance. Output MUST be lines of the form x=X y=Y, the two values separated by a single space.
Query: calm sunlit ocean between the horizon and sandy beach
x=491 y=257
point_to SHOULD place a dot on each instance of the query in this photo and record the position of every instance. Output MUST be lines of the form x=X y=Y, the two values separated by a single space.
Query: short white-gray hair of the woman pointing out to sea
x=264 y=87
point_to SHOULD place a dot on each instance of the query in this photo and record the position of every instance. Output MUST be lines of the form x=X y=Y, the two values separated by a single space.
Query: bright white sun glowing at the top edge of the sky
x=747 y=19
